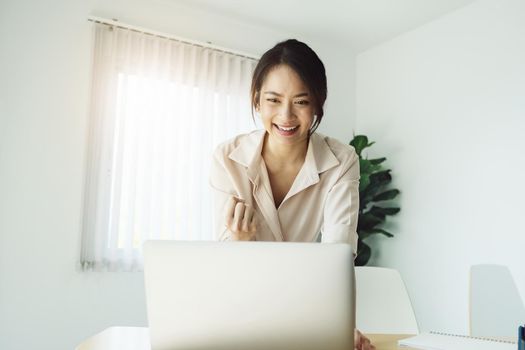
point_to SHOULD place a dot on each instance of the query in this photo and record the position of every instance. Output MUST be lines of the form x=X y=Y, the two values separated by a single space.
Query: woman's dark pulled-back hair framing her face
x=304 y=61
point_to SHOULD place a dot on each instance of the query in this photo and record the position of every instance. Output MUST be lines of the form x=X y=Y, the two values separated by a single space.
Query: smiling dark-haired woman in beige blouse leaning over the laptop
x=286 y=182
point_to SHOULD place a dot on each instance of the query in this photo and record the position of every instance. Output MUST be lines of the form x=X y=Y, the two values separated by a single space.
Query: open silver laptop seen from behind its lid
x=249 y=295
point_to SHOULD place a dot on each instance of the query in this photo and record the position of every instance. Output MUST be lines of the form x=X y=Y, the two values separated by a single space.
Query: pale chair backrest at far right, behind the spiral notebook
x=495 y=306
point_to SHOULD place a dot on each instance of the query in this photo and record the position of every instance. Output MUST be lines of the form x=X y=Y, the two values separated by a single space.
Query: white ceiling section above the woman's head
x=359 y=24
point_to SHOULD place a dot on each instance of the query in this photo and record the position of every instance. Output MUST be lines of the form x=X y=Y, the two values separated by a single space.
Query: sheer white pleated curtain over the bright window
x=159 y=107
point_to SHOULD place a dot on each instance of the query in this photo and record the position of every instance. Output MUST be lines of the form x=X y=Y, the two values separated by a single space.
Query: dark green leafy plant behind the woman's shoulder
x=374 y=195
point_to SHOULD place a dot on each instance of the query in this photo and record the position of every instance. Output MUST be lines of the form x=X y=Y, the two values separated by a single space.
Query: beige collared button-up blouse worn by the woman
x=324 y=197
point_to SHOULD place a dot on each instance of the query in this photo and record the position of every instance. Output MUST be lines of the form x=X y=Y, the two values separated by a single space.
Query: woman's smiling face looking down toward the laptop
x=286 y=106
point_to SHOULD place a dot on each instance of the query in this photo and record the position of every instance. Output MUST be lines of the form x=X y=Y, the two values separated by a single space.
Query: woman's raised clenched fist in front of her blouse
x=240 y=220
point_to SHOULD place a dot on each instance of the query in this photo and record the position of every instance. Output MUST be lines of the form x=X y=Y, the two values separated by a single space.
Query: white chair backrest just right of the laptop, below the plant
x=382 y=302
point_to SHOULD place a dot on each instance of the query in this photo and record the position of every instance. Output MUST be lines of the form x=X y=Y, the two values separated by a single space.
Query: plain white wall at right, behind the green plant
x=446 y=105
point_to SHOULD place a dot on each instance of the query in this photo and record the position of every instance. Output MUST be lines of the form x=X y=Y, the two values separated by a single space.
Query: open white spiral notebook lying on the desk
x=445 y=341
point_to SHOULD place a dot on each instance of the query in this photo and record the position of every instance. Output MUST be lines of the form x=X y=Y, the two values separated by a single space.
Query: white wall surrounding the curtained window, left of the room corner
x=45 y=303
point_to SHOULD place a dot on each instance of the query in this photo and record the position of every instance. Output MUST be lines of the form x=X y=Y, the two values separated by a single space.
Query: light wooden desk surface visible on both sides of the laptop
x=137 y=338
